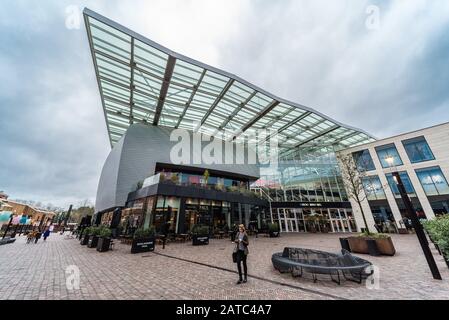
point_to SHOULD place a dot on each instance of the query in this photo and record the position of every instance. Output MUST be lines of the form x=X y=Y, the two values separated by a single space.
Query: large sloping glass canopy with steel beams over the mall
x=141 y=81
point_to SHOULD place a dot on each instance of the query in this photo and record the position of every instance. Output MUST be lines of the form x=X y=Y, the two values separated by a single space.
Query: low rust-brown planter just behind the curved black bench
x=359 y=243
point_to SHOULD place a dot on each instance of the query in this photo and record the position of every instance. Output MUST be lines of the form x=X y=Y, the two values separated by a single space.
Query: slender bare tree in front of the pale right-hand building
x=352 y=179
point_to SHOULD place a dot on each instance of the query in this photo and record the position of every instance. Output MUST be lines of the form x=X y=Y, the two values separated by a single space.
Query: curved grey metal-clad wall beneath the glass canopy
x=135 y=156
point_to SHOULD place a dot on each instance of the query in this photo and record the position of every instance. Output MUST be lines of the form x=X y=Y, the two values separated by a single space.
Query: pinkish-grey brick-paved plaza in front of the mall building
x=181 y=271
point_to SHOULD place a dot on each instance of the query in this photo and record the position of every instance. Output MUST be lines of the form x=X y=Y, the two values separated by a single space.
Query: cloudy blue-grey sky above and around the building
x=386 y=75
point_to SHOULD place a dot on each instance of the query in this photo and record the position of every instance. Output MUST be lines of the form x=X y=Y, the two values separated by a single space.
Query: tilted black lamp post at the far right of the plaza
x=411 y=213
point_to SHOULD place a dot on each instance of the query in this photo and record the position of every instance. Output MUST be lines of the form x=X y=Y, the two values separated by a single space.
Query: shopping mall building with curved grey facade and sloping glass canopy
x=248 y=156
